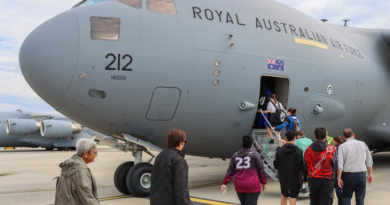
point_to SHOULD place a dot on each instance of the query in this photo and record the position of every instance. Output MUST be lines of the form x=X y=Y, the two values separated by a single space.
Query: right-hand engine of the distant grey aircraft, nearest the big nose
x=58 y=128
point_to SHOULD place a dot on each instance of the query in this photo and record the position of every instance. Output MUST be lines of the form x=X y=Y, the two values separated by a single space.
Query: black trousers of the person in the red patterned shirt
x=321 y=191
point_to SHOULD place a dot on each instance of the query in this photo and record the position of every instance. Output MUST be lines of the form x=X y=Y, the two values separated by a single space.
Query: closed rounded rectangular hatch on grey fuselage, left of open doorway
x=163 y=104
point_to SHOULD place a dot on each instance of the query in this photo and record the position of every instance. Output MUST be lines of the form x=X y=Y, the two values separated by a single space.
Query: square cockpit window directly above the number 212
x=103 y=28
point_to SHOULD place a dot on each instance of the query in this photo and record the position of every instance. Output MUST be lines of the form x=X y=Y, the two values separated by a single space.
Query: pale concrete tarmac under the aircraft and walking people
x=26 y=178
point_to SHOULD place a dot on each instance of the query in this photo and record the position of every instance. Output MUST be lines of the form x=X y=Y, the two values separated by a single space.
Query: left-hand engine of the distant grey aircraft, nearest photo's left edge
x=22 y=126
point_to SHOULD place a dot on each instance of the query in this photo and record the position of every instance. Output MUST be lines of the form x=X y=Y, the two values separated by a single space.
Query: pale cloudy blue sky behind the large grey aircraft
x=19 y=17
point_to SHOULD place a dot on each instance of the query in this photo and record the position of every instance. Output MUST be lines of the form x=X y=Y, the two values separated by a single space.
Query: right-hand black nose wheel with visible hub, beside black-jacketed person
x=139 y=179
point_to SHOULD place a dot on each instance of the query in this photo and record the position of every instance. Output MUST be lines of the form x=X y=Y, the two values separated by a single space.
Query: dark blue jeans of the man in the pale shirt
x=354 y=182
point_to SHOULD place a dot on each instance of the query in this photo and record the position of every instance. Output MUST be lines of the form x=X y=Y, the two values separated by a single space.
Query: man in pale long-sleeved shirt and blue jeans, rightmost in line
x=354 y=160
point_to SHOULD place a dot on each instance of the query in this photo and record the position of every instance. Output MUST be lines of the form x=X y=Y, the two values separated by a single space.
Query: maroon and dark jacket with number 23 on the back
x=248 y=169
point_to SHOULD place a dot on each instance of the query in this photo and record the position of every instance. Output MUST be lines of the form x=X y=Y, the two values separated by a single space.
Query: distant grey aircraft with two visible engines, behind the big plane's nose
x=27 y=129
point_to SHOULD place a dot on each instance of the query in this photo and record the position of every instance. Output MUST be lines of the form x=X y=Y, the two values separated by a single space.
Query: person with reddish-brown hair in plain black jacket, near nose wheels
x=170 y=173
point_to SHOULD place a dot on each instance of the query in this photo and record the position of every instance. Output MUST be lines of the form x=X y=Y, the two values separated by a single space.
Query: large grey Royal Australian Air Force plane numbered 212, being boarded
x=134 y=69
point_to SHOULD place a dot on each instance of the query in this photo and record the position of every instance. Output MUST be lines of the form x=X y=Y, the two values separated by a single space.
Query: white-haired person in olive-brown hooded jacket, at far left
x=76 y=185
